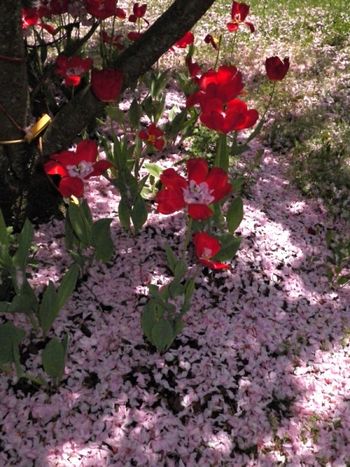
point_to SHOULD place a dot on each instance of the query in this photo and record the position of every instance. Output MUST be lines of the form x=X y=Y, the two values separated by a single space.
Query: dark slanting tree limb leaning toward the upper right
x=133 y=62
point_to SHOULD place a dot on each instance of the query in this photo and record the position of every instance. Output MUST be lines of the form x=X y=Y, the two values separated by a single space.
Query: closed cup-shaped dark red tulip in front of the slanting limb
x=106 y=85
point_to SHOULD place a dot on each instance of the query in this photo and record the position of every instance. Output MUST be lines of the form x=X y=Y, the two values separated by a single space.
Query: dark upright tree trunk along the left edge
x=14 y=158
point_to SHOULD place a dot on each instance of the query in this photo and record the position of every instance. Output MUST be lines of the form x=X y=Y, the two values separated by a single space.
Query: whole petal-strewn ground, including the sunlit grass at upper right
x=260 y=374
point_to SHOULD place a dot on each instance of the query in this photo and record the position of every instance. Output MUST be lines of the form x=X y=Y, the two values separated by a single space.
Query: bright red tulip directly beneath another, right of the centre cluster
x=226 y=117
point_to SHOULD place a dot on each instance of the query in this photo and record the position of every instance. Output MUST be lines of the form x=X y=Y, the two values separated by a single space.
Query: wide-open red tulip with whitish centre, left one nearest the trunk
x=74 y=167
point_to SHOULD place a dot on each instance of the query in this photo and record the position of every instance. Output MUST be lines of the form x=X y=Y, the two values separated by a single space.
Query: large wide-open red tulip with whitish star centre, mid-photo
x=202 y=188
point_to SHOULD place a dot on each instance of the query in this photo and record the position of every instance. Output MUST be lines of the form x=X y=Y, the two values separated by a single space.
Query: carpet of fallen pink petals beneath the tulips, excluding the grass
x=258 y=377
